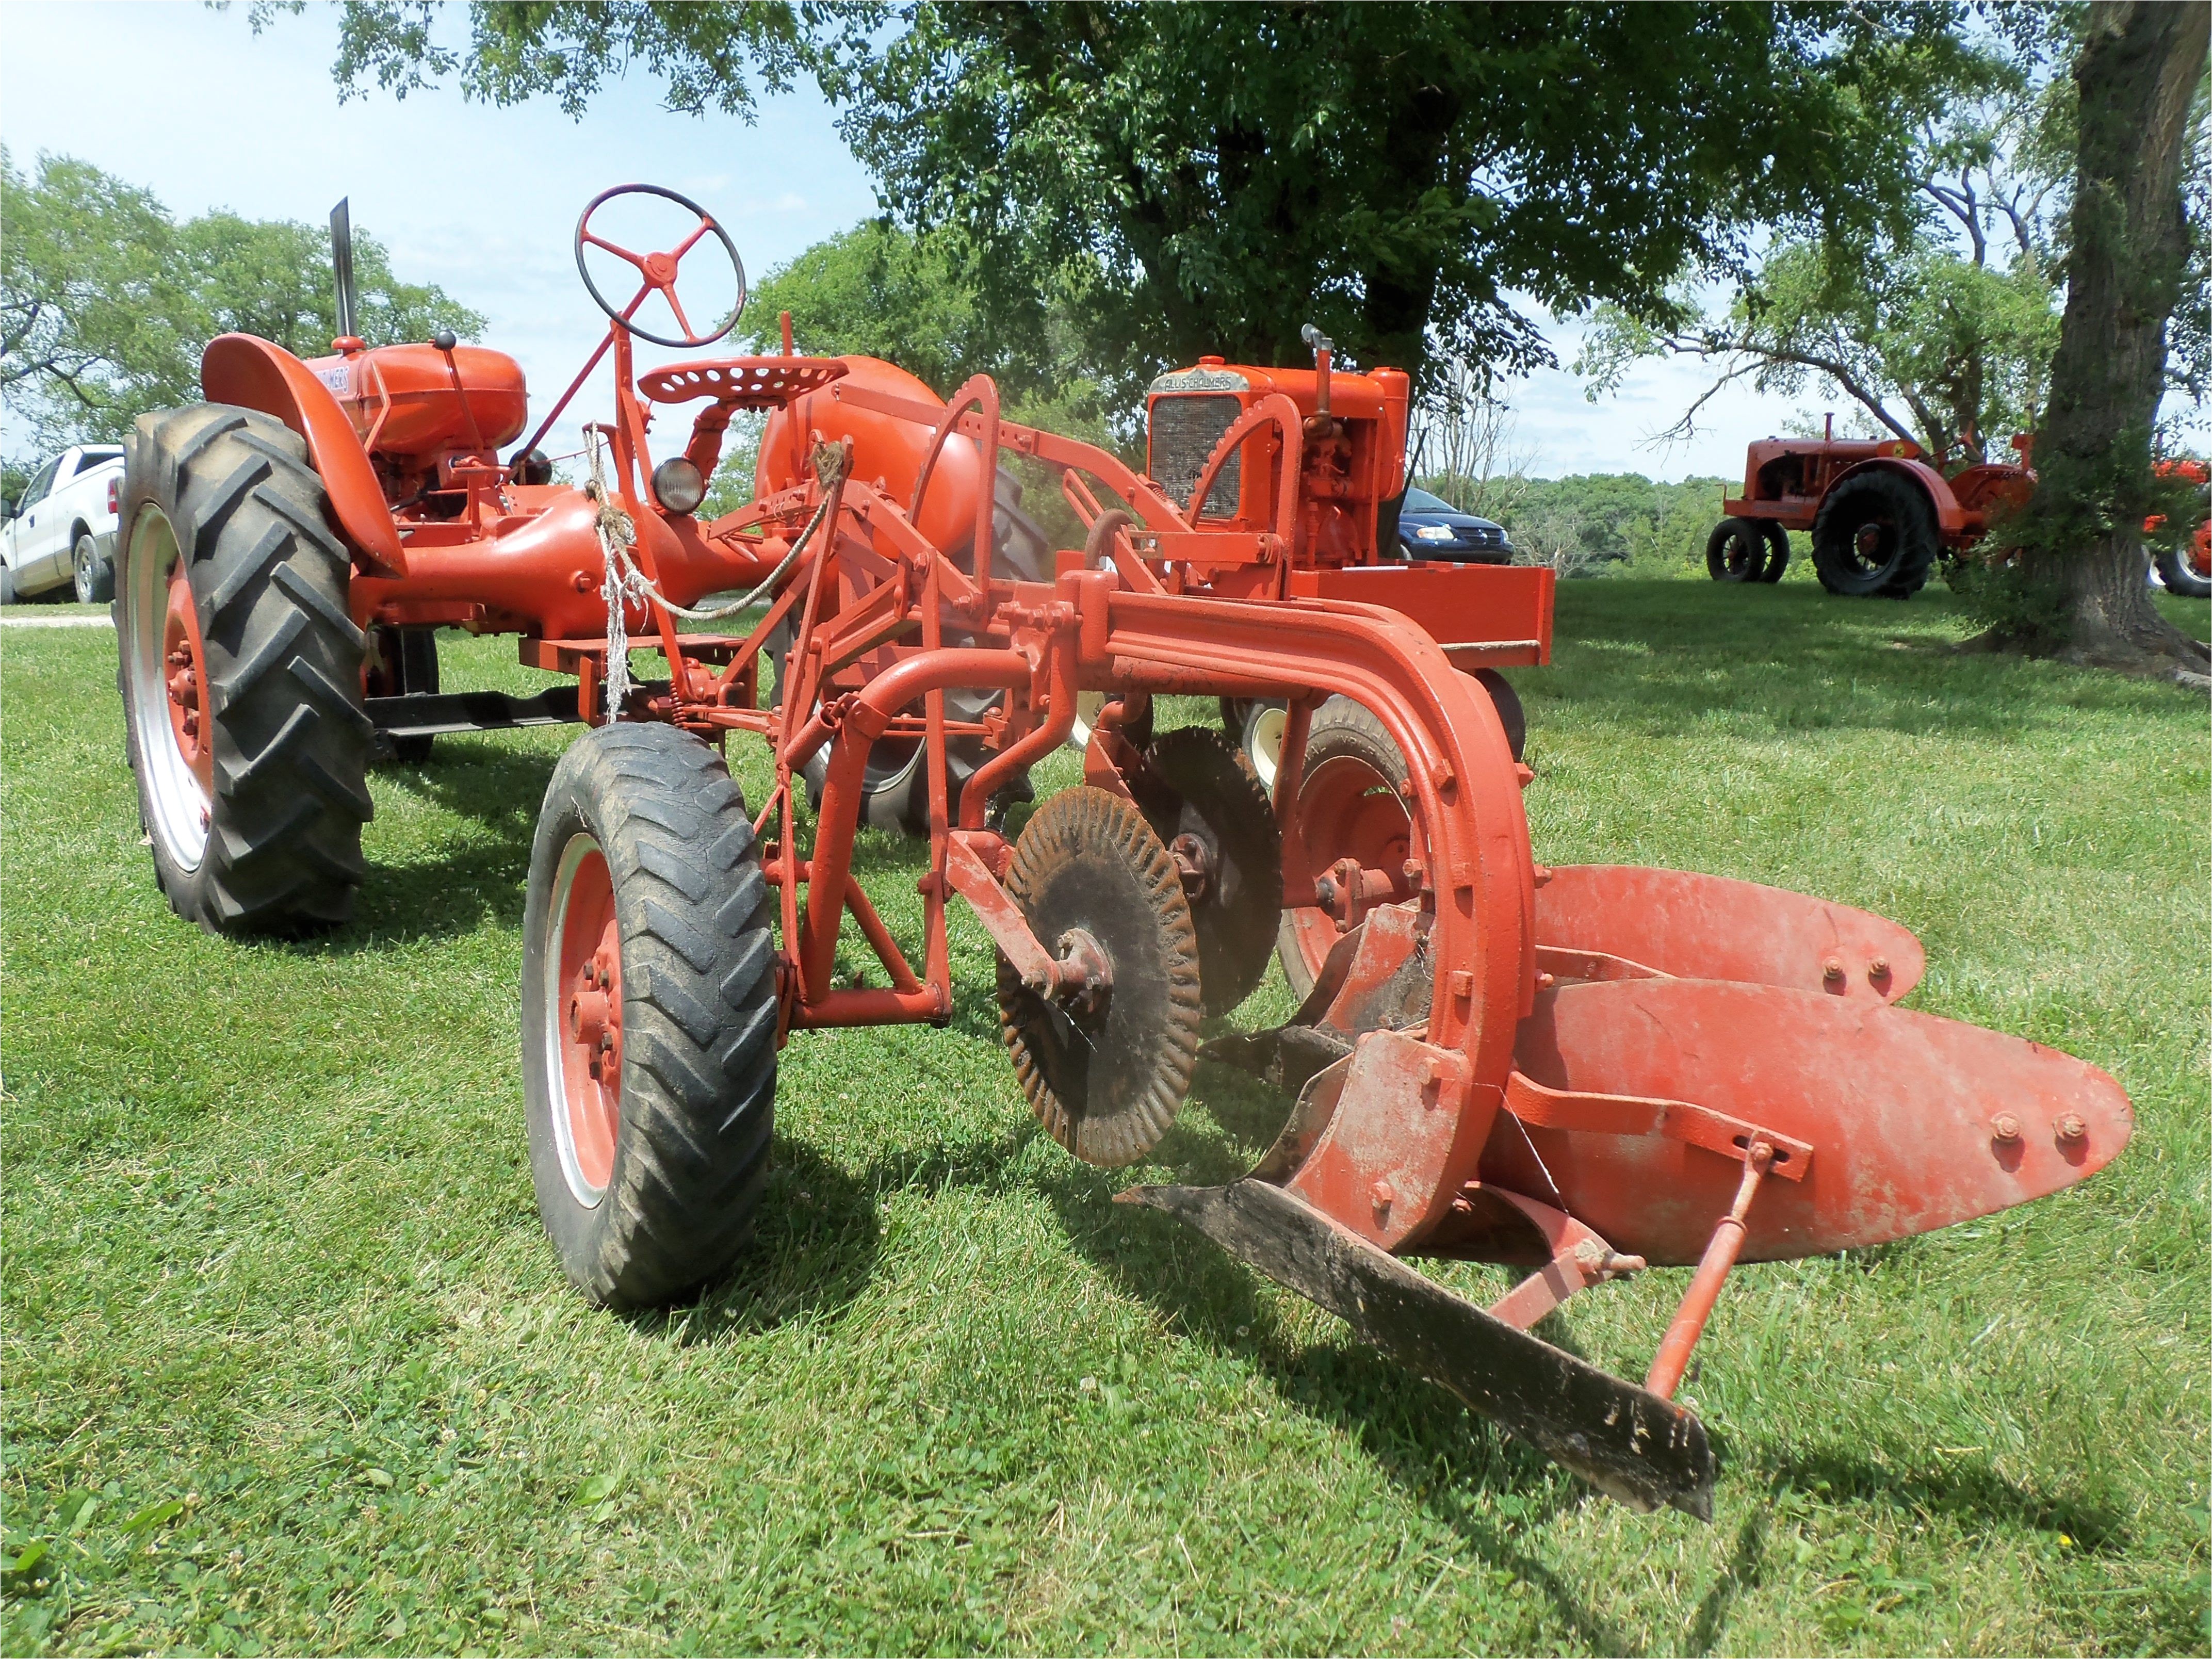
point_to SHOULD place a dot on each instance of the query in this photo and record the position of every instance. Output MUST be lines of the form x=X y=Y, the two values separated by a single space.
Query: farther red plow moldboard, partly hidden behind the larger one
x=1711 y=928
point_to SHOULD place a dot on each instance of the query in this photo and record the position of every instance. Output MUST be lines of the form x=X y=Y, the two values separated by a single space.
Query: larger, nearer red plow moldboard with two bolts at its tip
x=1903 y=1114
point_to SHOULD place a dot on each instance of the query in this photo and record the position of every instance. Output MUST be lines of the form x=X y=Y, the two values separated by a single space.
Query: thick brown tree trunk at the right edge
x=2083 y=534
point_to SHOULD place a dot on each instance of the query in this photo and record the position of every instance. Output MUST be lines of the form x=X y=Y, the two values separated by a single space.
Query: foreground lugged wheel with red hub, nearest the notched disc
x=649 y=1016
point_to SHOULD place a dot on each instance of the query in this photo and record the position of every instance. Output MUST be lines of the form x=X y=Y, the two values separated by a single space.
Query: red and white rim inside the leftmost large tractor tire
x=160 y=620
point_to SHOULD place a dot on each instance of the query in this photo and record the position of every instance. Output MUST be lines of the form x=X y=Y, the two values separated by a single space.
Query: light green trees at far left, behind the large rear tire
x=107 y=300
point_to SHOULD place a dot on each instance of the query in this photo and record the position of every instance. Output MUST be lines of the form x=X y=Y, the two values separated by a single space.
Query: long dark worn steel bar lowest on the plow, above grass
x=1629 y=1443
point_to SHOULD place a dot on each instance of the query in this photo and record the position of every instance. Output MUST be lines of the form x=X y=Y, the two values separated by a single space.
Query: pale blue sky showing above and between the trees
x=481 y=200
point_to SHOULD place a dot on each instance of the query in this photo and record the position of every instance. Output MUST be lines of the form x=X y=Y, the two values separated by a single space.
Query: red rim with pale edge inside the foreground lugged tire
x=583 y=1072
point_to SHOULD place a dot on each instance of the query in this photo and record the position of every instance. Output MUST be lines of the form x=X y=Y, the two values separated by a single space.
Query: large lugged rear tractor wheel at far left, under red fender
x=240 y=674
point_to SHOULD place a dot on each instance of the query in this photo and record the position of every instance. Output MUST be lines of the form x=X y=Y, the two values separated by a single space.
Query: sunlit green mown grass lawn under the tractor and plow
x=289 y=1364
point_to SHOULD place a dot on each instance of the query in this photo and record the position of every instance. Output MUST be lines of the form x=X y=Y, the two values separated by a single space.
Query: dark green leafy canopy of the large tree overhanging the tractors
x=1200 y=178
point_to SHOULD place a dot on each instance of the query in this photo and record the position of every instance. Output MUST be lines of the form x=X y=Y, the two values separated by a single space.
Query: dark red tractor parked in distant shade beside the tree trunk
x=1879 y=512
